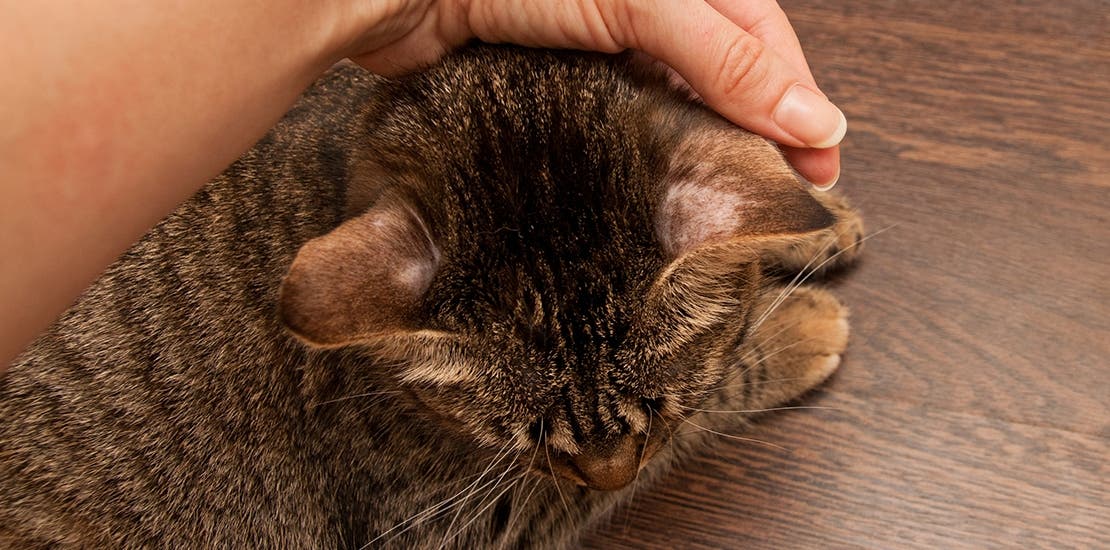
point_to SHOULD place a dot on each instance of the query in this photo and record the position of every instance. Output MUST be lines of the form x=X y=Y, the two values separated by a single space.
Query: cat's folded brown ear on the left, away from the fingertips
x=365 y=278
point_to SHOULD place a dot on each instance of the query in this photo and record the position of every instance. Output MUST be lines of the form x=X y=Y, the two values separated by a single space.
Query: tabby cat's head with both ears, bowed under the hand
x=559 y=254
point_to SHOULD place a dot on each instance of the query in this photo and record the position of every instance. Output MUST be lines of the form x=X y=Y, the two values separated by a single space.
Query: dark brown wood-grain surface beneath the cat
x=973 y=409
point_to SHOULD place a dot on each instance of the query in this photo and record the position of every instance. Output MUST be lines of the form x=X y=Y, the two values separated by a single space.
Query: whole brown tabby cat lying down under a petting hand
x=466 y=308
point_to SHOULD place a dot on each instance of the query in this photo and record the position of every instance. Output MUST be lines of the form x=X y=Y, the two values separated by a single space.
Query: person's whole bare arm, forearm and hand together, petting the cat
x=116 y=112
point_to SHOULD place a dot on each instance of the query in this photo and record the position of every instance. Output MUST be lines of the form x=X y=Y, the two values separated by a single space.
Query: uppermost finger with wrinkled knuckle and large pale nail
x=738 y=75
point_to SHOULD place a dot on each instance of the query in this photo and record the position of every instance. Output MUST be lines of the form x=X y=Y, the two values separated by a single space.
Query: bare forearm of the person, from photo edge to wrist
x=115 y=113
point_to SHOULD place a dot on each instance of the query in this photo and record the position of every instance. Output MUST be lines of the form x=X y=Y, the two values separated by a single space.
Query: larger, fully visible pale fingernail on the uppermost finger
x=811 y=118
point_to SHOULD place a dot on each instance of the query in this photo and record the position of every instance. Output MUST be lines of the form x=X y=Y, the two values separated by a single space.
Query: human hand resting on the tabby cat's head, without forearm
x=741 y=56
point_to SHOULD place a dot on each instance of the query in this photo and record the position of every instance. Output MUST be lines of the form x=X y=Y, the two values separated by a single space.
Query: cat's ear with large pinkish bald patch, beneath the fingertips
x=729 y=185
